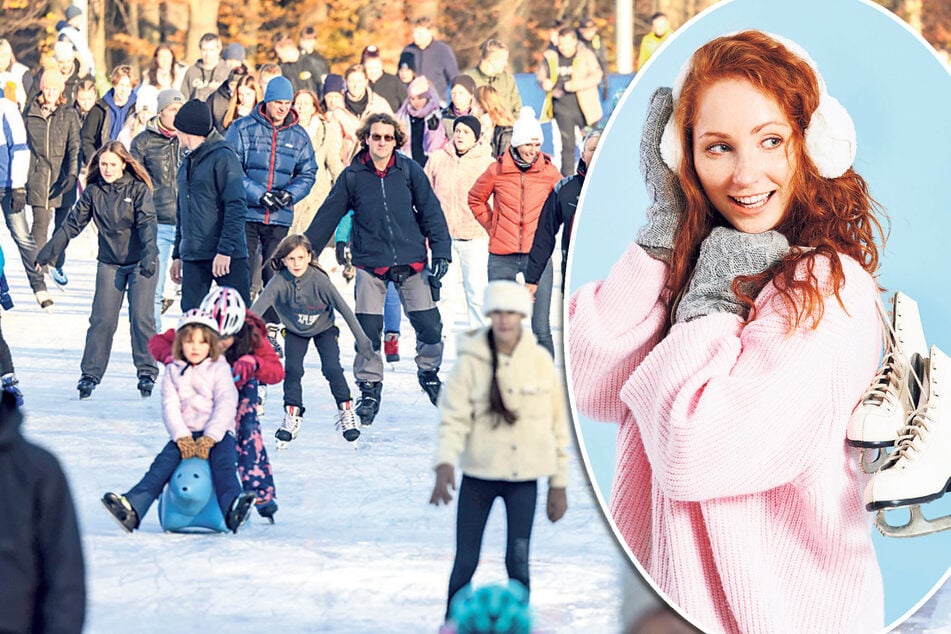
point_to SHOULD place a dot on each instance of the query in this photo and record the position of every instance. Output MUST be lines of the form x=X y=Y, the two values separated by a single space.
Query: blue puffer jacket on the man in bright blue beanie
x=272 y=158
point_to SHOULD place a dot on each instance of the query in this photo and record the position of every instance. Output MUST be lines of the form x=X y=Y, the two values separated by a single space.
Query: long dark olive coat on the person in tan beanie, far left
x=54 y=155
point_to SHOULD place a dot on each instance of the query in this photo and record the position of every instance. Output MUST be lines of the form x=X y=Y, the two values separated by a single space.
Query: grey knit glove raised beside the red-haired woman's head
x=663 y=186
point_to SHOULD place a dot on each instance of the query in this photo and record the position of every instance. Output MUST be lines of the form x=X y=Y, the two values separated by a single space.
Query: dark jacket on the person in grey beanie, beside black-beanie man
x=161 y=156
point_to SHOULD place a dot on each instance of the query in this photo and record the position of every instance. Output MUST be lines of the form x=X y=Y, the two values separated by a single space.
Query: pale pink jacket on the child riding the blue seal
x=199 y=398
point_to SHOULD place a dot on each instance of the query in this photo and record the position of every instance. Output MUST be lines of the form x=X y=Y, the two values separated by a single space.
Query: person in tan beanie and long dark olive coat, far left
x=52 y=133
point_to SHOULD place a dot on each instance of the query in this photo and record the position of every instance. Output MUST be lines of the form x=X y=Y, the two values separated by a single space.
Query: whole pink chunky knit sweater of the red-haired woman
x=734 y=487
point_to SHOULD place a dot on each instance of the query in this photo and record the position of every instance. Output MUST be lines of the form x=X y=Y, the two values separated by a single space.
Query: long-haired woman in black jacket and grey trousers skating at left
x=118 y=198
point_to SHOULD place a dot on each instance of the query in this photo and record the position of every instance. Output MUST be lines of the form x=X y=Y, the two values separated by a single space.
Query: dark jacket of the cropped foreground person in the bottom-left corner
x=41 y=559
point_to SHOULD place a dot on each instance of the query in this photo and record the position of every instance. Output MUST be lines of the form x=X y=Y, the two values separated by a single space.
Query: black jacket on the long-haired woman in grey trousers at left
x=124 y=216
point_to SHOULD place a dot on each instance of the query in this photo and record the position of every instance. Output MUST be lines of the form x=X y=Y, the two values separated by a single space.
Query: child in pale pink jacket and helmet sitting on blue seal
x=198 y=404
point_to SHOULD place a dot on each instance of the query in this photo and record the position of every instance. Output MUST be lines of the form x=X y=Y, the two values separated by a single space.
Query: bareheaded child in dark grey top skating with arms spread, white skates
x=304 y=298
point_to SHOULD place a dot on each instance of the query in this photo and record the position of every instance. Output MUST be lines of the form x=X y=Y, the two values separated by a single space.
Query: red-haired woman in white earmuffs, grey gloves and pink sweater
x=733 y=340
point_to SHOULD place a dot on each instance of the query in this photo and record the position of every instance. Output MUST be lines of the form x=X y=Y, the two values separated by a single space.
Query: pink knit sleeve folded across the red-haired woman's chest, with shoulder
x=725 y=409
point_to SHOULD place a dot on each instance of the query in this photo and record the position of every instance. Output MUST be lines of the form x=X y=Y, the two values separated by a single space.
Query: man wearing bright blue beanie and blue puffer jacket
x=277 y=157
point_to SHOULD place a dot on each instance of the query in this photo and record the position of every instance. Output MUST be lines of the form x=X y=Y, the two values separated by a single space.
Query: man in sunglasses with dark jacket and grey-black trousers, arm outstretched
x=395 y=215
